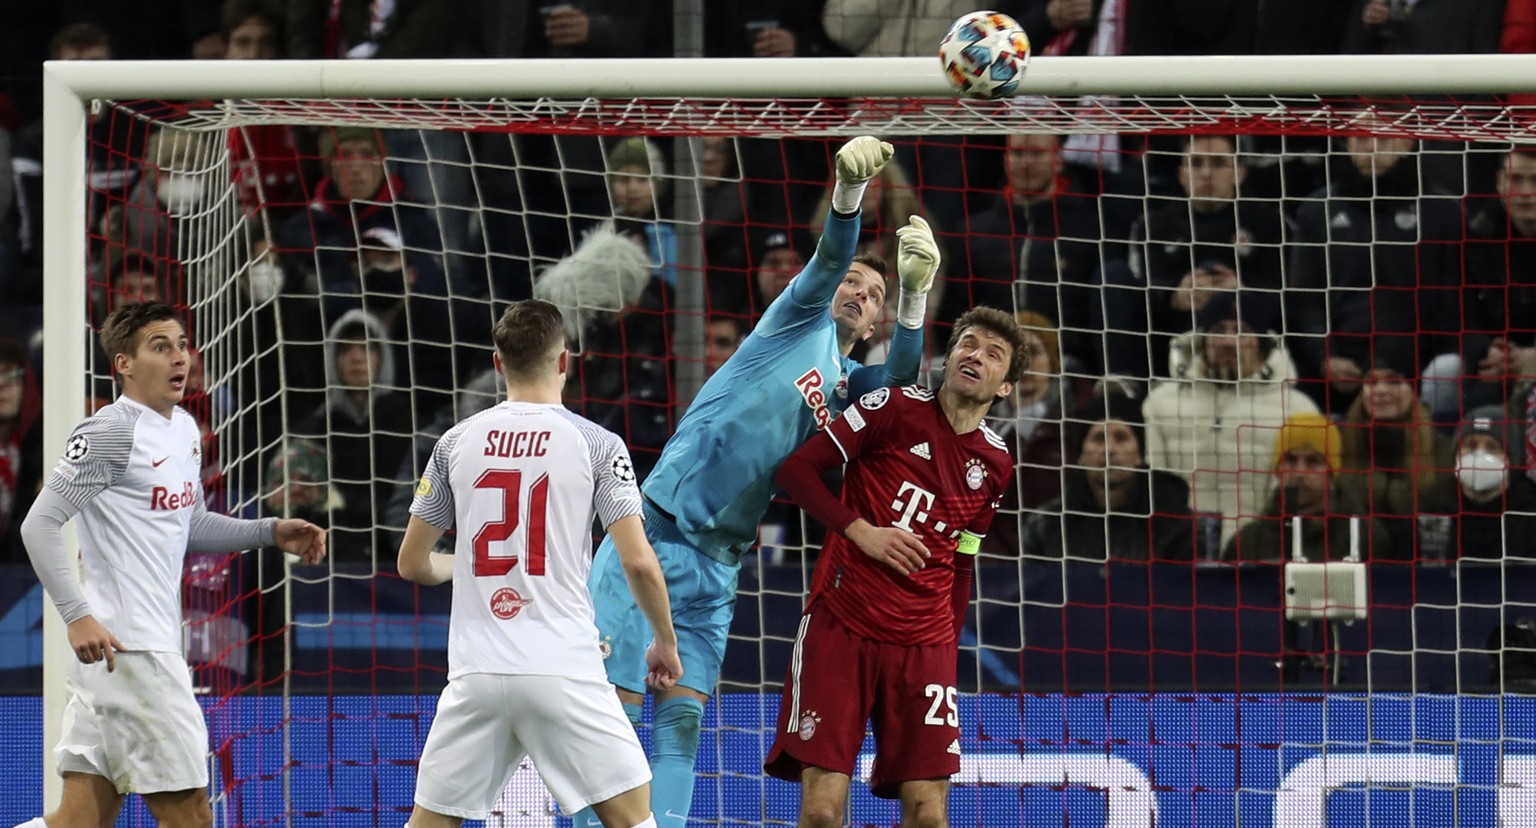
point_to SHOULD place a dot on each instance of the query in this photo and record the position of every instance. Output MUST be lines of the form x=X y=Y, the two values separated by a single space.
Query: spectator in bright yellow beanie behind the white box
x=1306 y=485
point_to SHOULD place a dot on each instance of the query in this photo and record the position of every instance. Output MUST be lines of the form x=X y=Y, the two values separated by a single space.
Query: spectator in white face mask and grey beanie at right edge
x=1497 y=503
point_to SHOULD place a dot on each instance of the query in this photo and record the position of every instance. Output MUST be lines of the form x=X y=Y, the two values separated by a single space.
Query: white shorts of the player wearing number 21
x=575 y=730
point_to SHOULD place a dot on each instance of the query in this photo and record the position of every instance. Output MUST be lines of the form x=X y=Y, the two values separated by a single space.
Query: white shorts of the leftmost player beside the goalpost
x=139 y=727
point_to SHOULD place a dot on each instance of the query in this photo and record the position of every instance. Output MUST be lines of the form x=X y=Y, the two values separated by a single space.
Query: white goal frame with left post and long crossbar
x=70 y=90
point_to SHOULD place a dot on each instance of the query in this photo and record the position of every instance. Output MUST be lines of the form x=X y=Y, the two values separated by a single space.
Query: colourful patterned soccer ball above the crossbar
x=985 y=55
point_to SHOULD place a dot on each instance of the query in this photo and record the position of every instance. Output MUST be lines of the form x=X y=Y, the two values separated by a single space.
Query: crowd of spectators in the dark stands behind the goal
x=1233 y=333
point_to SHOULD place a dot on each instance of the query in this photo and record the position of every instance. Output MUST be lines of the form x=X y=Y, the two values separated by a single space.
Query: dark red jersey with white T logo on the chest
x=907 y=468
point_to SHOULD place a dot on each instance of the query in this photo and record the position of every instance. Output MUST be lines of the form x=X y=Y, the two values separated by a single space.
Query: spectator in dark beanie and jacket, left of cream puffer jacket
x=1113 y=508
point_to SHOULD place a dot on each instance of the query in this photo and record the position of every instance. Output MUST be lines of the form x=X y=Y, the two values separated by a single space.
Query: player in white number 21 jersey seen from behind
x=523 y=483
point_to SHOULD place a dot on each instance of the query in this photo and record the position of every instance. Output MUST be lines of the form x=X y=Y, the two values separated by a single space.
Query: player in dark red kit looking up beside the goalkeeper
x=879 y=638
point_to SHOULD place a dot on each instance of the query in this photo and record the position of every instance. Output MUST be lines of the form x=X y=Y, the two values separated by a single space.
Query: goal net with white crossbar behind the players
x=1262 y=290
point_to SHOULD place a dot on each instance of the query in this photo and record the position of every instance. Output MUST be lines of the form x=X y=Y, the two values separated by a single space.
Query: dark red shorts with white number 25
x=839 y=681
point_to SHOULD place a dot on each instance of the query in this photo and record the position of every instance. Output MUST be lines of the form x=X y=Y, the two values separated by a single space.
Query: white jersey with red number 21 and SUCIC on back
x=521 y=485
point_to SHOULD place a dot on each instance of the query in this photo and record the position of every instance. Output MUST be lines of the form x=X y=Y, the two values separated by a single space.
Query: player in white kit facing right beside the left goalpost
x=133 y=475
